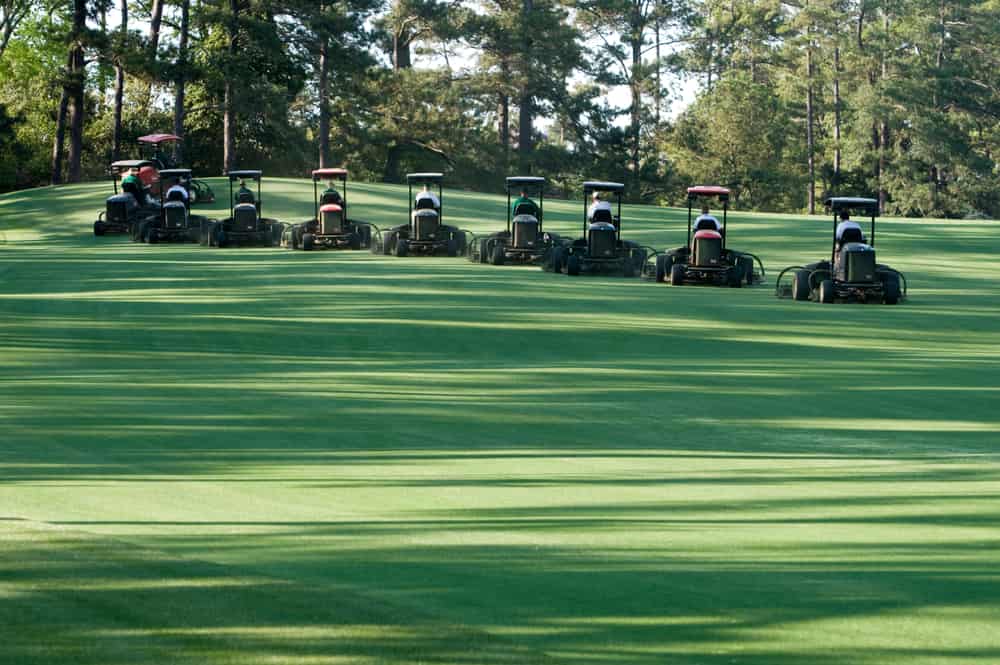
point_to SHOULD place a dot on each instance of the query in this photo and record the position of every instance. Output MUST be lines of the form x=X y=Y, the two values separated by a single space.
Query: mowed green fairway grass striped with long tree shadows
x=266 y=456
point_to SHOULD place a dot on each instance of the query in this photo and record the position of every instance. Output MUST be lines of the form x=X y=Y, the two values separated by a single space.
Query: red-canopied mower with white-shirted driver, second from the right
x=706 y=259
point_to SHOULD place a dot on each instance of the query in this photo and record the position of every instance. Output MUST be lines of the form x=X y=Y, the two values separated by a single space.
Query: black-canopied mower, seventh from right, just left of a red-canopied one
x=245 y=227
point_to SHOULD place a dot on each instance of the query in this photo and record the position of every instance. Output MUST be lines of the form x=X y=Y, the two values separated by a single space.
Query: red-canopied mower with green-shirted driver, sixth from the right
x=330 y=228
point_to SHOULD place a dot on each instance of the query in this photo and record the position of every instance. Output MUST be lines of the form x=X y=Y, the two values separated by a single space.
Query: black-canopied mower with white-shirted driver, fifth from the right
x=424 y=234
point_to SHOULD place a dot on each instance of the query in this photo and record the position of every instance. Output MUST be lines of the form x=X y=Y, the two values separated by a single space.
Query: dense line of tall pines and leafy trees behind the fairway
x=797 y=98
